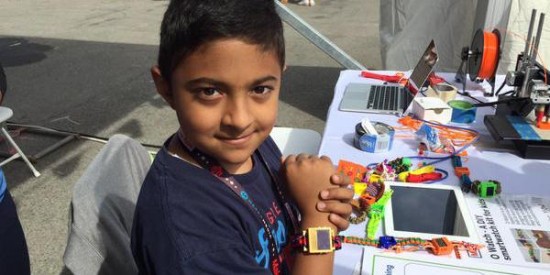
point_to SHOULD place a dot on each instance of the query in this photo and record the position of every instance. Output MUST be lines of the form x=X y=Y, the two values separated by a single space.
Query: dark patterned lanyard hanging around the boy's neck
x=217 y=170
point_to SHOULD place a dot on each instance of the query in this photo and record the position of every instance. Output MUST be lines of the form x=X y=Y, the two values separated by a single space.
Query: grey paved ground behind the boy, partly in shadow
x=82 y=66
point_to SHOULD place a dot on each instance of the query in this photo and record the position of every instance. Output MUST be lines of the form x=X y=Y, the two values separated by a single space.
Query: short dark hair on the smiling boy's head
x=189 y=24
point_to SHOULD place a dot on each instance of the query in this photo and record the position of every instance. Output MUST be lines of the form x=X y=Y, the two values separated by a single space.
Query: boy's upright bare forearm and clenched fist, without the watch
x=306 y=177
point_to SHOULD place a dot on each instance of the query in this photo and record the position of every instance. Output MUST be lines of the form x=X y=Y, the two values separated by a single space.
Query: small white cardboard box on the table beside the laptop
x=432 y=109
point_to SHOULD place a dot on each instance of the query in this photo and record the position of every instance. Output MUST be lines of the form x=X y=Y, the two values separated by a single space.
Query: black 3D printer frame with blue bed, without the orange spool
x=527 y=107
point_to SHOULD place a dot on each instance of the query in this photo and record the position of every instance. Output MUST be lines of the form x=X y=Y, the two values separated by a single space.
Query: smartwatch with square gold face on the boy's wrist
x=317 y=240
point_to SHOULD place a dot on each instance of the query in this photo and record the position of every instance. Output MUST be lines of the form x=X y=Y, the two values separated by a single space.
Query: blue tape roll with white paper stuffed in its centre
x=381 y=141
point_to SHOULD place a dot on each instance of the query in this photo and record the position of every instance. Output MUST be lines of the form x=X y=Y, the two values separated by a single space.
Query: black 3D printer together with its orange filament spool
x=522 y=115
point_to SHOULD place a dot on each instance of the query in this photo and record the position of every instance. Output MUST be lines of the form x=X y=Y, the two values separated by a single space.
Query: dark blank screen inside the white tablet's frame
x=425 y=210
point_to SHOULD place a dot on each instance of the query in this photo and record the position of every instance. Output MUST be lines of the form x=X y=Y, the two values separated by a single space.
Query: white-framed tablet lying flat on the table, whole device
x=428 y=211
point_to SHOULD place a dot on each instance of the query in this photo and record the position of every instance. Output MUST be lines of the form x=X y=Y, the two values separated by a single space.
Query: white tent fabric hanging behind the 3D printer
x=407 y=26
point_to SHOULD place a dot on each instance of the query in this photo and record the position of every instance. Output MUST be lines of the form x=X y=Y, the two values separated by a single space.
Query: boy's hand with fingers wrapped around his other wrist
x=336 y=201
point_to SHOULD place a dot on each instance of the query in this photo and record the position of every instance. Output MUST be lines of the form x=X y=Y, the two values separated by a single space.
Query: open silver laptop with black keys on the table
x=389 y=98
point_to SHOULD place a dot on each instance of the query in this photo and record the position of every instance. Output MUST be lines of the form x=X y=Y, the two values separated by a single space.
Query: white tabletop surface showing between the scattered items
x=517 y=175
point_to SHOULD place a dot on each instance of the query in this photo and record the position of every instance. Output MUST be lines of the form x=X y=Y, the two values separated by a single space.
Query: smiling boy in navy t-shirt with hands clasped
x=216 y=199
